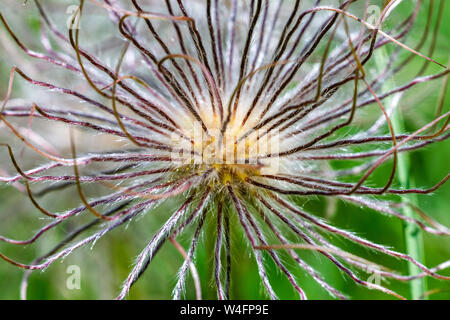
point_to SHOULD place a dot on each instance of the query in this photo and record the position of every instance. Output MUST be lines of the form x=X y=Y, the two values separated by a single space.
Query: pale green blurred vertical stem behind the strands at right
x=412 y=233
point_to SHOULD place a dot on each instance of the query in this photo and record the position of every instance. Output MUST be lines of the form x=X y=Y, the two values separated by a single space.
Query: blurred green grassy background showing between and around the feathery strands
x=106 y=265
